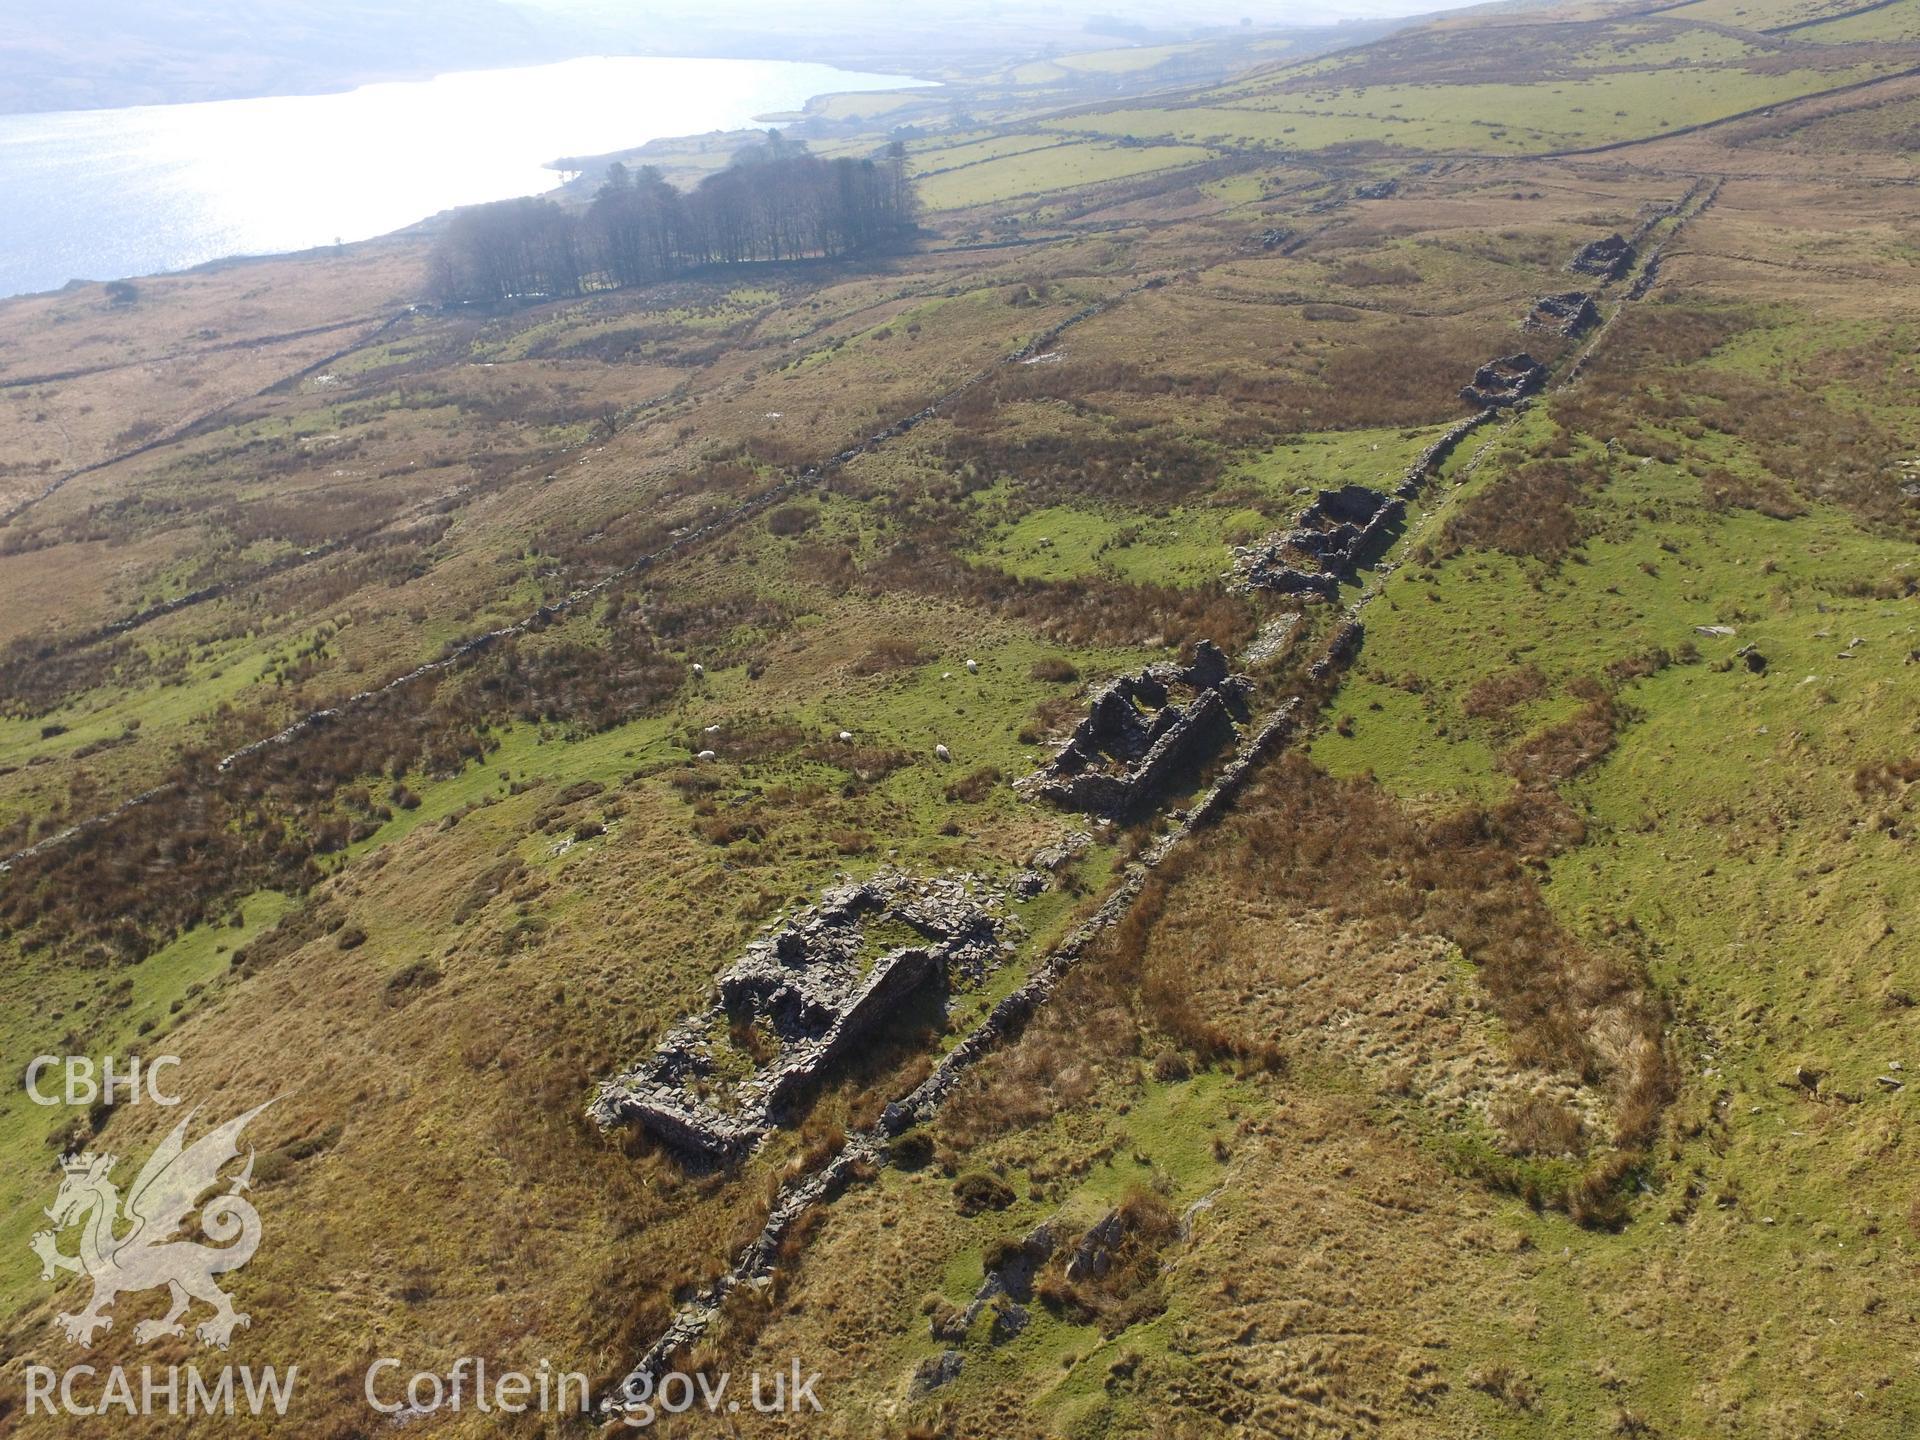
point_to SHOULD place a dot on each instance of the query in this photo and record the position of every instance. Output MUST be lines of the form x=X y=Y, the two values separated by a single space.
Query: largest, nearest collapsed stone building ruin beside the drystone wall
x=809 y=994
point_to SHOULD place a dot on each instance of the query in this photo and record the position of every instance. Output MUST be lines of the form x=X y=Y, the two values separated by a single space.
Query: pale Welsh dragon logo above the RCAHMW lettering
x=147 y=1255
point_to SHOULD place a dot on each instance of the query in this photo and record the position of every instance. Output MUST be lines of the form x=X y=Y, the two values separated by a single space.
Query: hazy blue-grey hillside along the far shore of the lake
x=82 y=55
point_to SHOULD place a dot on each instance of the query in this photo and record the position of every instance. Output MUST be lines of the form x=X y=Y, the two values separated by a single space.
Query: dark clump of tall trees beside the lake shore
x=773 y=203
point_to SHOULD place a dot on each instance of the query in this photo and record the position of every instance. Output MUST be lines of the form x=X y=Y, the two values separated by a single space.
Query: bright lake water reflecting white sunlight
x=105 y=195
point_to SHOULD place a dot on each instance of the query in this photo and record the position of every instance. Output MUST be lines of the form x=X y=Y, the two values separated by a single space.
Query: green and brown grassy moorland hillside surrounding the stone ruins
x=1520 y=1045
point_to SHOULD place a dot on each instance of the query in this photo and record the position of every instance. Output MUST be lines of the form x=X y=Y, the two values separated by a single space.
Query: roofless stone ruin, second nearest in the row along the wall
x=1141 y=732
